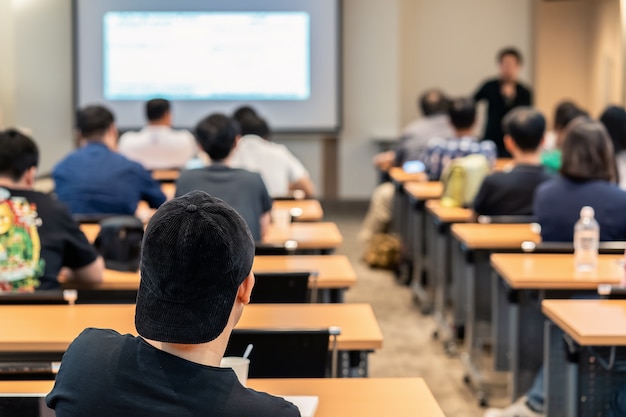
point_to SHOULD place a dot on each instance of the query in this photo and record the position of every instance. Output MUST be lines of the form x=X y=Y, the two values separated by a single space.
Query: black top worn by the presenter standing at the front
x=498 y=107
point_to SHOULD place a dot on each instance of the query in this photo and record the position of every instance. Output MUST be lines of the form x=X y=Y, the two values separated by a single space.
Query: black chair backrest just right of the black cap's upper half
x=281 y=287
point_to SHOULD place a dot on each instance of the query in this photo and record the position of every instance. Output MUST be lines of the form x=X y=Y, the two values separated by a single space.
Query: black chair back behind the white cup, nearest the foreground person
x=287 y=353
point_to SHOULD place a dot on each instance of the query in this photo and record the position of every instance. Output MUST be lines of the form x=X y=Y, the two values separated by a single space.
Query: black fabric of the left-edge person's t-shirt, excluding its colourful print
x=62 y=242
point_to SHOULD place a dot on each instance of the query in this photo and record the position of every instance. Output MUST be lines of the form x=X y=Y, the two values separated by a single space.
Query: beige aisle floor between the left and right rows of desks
x=409 y=349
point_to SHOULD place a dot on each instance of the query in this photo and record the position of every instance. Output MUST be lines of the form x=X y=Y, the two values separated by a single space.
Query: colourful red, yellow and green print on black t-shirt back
x=20 y=247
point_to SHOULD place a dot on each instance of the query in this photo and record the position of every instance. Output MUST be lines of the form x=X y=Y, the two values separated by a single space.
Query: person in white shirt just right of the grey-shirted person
x=281 y=171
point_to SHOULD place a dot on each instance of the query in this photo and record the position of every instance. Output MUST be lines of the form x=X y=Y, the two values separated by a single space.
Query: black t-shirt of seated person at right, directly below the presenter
x=510 y=193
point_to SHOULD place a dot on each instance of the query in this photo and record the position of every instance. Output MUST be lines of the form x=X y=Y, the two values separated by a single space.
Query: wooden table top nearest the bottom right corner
x=589 y=322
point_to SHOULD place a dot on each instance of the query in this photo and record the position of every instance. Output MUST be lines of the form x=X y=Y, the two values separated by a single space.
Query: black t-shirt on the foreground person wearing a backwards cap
x=105 y=374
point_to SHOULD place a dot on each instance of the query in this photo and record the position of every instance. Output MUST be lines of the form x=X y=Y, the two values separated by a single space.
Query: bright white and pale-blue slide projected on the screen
x=207 y=55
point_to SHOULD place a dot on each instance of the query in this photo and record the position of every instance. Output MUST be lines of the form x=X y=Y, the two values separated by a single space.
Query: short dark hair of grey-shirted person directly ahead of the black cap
x=216 y=134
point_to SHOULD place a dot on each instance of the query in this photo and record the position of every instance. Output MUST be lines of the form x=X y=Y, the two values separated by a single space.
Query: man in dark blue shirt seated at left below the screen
x=95 y=179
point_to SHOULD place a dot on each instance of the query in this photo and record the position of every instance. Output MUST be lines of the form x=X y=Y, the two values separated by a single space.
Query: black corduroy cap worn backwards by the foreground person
x=196 y=252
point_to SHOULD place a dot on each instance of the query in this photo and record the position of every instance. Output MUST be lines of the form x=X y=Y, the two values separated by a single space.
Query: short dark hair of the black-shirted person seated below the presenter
x=526 y=126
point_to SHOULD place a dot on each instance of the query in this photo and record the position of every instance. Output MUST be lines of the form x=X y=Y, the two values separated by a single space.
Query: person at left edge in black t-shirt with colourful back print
x=33 y=216
